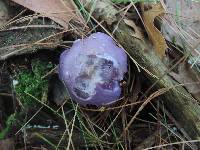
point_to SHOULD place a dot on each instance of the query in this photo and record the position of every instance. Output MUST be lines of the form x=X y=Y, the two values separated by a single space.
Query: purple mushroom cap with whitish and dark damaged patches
x=92 y=70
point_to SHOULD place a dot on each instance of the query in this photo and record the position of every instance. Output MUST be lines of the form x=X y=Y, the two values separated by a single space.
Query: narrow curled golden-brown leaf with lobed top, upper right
x=154 y=34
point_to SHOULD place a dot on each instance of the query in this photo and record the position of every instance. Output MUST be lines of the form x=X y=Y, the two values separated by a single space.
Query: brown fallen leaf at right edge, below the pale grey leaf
x=189 y=78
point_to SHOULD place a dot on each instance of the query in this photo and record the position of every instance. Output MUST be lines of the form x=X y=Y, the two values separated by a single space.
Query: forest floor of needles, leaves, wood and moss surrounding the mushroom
x=159 y=106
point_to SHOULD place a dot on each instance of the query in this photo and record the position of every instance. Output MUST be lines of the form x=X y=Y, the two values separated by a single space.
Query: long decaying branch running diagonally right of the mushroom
x=180 y=103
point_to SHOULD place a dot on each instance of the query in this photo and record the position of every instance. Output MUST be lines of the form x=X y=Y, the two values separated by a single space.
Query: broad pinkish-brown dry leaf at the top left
x=61 y=11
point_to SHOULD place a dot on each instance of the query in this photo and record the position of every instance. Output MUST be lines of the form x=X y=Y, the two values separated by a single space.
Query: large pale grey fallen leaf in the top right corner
x=181 y=26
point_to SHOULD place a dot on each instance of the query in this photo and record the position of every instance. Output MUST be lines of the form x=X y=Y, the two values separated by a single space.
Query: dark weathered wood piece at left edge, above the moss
x=25 y=40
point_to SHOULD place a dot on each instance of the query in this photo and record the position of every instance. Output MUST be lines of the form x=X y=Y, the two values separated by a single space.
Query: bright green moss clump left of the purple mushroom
x=31 y=85
